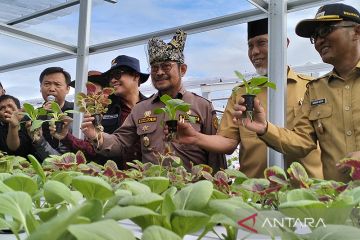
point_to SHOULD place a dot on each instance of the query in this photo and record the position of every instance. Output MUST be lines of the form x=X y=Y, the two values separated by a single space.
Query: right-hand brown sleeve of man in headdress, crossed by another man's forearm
x=216 y=161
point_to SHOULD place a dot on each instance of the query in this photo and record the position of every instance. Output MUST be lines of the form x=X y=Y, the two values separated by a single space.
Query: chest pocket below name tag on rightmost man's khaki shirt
x=321 y=117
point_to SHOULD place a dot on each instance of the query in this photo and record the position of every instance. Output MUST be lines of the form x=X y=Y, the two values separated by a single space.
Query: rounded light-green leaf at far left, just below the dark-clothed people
x=22 y=183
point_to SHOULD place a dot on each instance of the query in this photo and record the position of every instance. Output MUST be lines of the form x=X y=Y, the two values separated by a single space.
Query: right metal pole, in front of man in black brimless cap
x=277 y=71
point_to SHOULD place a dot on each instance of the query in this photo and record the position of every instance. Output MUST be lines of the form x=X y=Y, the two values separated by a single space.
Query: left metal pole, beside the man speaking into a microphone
x=82 y=57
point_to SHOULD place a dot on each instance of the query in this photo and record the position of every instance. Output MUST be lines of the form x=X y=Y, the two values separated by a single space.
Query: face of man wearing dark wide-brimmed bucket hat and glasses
x=123 y=82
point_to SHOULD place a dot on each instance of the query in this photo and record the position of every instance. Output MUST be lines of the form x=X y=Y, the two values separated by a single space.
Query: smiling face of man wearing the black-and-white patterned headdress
x=166 y=76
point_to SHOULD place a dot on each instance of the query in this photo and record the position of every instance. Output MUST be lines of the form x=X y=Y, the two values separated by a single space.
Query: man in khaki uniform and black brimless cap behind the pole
x=253 y=151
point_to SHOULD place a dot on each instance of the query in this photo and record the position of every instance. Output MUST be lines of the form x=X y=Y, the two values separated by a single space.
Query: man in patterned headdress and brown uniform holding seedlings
x=167 y=68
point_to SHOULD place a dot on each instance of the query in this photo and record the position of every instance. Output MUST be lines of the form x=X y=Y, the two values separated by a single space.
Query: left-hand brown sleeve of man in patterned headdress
x=123 y=137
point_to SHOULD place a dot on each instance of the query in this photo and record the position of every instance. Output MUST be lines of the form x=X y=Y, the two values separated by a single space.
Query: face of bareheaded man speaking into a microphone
x=54 y=84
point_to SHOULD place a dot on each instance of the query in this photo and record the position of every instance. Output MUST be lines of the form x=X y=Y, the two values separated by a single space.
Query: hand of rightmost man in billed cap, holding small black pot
x=258 y=122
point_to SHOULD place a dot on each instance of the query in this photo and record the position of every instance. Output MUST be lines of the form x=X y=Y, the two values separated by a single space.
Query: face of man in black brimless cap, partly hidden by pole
x=258 y=53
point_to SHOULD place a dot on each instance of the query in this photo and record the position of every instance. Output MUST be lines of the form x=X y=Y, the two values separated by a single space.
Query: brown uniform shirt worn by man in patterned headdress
x=142 y=124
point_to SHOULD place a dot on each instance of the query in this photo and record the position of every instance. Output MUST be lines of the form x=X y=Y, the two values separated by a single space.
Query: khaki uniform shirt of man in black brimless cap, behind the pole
x=253 y=151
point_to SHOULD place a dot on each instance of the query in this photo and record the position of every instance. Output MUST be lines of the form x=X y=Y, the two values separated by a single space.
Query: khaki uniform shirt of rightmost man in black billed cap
x=330 y=114
